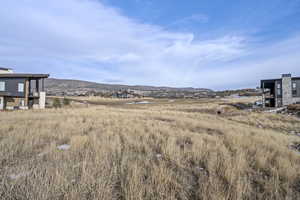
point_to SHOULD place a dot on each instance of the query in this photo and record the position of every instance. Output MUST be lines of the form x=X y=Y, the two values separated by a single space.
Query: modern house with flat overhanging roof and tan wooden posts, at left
x=21 y=91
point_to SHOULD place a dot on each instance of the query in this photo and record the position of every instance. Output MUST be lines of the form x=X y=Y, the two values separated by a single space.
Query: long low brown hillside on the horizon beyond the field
x=59 y=87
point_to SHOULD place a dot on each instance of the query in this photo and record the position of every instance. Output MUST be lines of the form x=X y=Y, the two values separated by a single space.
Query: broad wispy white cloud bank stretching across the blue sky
x=84 y=39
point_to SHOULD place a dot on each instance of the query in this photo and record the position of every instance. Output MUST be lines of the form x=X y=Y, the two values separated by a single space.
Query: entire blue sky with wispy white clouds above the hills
x=216 y=44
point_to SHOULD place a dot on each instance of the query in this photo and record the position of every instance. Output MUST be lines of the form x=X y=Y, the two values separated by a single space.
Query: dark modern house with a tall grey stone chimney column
x=281 y=92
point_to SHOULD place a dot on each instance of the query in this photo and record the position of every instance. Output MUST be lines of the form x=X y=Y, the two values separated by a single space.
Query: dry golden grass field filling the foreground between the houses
x=167 y=149
